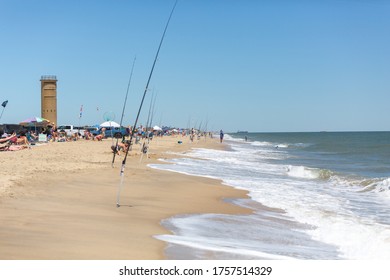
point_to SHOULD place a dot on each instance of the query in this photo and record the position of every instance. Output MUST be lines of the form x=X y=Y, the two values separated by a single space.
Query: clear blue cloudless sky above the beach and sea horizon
x=256 y=65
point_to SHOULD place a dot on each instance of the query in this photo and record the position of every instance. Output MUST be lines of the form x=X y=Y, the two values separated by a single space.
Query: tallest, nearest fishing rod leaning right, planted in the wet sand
x=140 y=107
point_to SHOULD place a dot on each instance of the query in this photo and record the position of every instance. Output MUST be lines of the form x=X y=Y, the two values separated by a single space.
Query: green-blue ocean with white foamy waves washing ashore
x=316 y=196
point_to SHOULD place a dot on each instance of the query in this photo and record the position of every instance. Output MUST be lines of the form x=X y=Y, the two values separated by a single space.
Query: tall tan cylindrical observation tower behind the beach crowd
x=49 y=98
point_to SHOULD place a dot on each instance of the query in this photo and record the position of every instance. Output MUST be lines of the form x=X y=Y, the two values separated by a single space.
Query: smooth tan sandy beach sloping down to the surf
x=58 y=200
